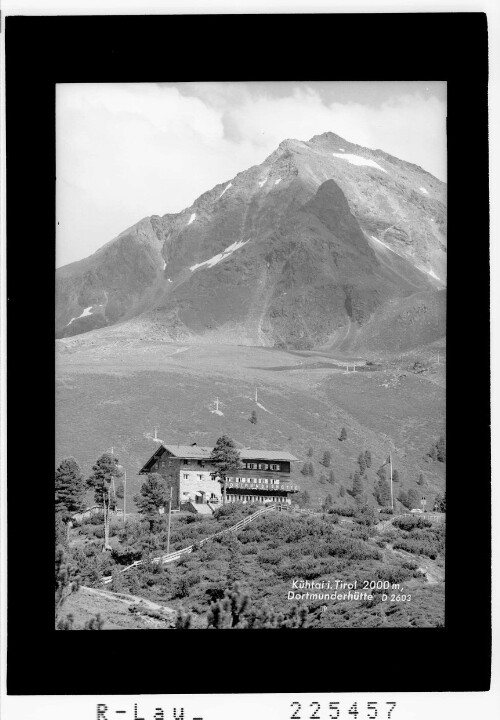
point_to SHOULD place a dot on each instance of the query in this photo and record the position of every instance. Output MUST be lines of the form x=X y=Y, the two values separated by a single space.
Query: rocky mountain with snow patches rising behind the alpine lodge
x=320 y=235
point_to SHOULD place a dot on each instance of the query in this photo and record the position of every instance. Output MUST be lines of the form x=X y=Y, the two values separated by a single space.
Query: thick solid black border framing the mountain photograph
x=43 y=51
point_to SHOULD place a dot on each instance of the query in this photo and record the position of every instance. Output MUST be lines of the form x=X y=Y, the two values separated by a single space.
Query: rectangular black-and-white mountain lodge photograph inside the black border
x=251 y=355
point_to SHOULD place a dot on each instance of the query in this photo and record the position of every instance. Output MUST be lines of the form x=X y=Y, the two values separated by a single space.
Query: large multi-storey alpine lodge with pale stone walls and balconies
x=264 y=475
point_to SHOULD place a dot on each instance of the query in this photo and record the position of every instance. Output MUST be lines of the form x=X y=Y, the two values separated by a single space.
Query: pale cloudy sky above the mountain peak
x=126 y=151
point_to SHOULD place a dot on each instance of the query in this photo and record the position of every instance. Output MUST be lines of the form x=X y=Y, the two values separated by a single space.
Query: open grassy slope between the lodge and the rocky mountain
x=114 y=397
